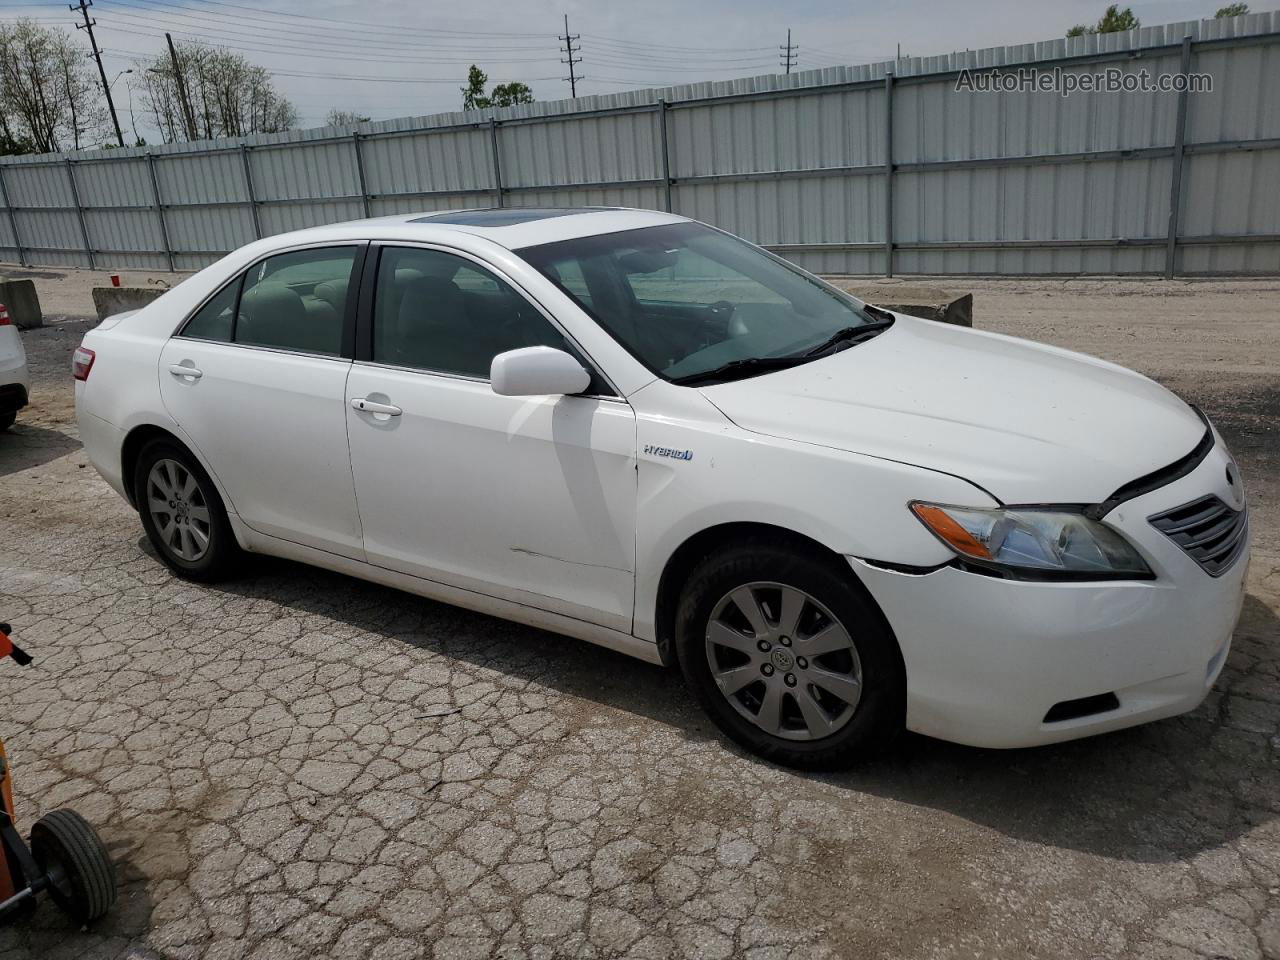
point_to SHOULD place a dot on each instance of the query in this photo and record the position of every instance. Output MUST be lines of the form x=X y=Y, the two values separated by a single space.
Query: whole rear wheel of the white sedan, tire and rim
x=182 y=514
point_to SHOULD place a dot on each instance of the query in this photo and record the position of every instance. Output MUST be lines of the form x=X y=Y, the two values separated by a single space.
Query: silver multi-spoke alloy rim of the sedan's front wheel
x=784 y=661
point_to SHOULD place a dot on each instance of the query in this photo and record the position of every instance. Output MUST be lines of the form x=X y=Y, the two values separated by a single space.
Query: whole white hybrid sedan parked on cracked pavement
x=636 y=429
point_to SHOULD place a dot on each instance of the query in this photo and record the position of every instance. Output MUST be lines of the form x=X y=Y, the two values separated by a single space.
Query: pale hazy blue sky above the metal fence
x=396 y=58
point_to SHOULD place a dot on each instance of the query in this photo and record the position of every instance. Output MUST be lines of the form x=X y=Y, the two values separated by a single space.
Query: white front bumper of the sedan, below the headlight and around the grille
x=988 y=659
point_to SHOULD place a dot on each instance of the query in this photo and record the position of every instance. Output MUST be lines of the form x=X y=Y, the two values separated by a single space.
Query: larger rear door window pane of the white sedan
x=296 y=301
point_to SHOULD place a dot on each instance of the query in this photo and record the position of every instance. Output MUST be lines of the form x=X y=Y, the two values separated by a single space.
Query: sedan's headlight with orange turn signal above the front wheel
x=1035 y=541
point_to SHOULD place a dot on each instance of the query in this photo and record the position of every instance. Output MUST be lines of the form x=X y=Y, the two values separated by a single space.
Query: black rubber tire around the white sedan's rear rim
x=221 y=557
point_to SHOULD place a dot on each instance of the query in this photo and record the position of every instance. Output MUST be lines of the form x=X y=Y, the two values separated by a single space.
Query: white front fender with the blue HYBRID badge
x=697 y=470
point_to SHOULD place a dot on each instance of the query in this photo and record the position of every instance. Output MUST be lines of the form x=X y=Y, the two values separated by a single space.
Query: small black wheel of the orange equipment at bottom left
x=80 y=871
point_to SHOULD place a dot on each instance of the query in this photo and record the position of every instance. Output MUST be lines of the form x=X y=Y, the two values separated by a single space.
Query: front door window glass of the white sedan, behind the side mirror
x=441 y=313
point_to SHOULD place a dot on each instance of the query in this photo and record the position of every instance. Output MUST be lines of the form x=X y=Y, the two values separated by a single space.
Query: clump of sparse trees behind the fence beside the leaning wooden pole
x=228 y=95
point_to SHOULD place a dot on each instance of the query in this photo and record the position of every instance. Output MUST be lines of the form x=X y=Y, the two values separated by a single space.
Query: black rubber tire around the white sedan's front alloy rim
x=879 y=716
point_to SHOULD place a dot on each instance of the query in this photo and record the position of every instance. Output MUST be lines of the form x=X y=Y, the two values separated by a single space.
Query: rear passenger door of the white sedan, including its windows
x=257 y=380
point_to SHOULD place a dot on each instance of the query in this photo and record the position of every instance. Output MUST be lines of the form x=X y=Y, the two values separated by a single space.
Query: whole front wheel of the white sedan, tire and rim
x=790 y=659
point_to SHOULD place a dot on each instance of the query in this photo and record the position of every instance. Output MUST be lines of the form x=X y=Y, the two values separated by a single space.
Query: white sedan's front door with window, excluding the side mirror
x=524 y=499
